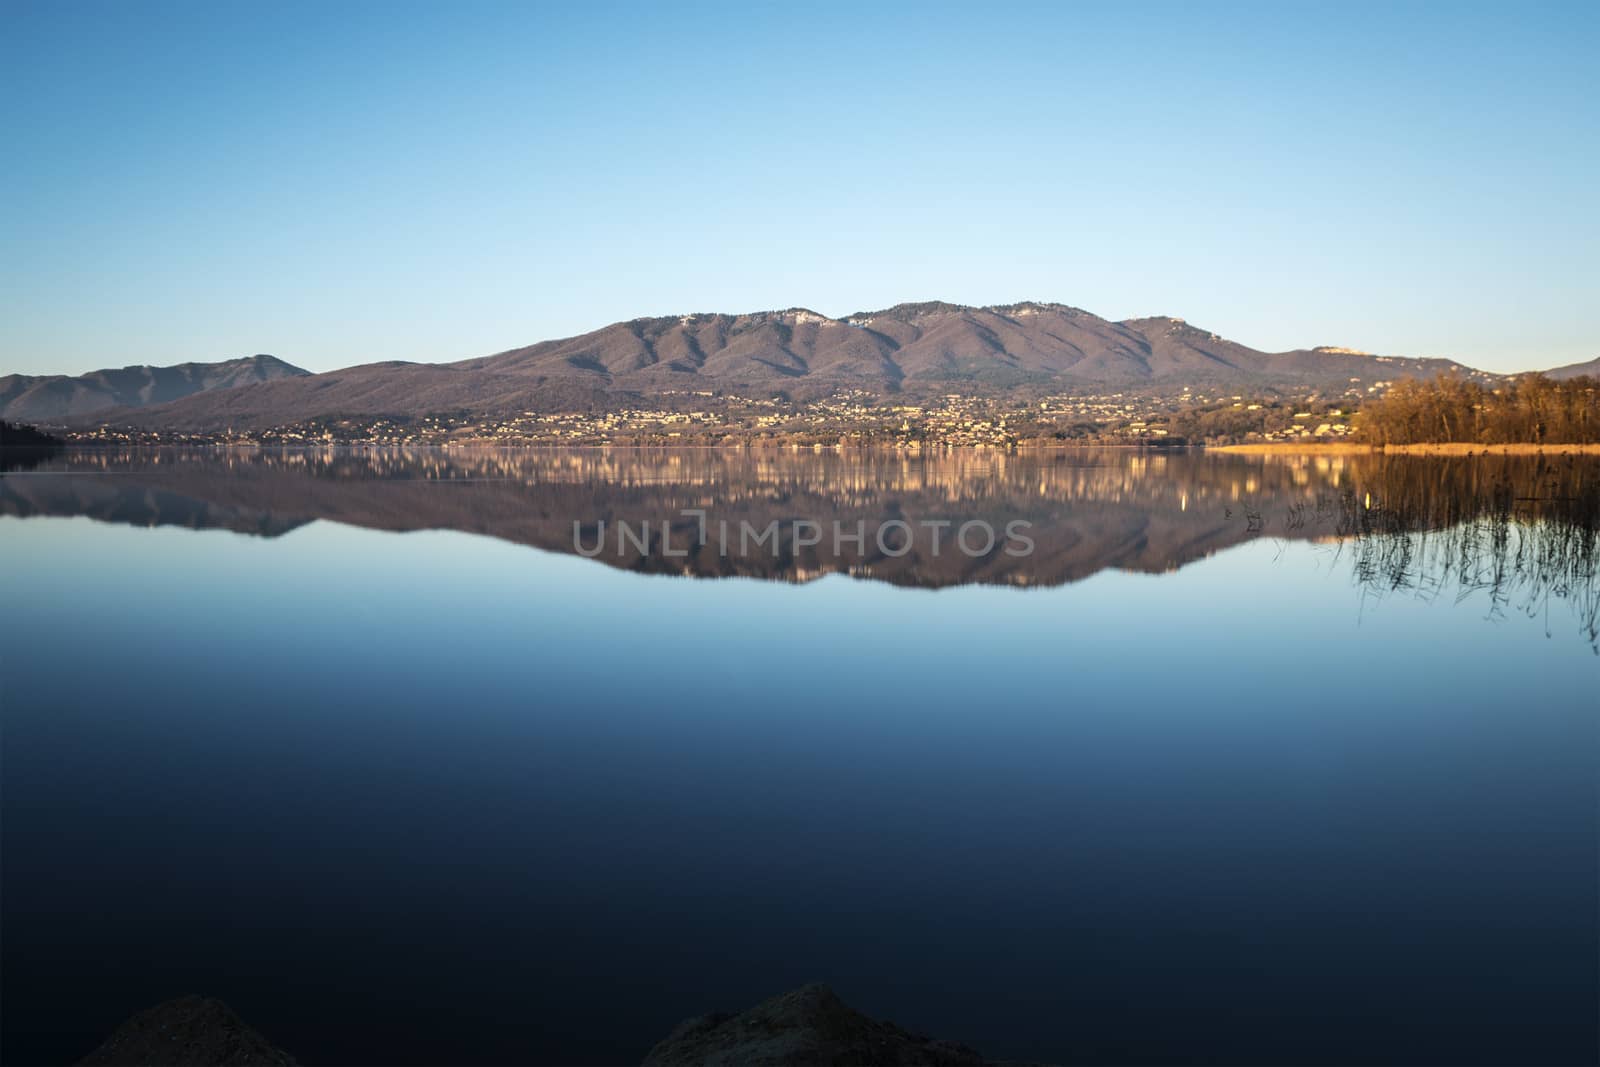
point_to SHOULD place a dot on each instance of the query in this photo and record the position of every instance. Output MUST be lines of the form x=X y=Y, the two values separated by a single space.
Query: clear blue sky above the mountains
x=340 y=183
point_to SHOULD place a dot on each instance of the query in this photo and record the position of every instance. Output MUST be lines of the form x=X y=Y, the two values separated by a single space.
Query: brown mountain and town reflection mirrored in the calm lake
x=1089 y=511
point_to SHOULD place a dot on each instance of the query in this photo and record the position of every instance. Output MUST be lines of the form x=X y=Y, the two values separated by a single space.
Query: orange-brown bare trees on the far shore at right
x=1530 y=409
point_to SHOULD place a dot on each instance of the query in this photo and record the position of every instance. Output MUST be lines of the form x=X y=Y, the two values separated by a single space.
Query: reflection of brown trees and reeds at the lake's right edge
x=1519 y=532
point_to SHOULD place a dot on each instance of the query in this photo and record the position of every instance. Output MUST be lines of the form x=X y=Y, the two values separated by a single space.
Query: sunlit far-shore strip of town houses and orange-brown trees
x=1527 y=410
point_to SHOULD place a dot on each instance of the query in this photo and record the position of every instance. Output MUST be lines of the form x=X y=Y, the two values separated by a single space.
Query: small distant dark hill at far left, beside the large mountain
x=57 y=398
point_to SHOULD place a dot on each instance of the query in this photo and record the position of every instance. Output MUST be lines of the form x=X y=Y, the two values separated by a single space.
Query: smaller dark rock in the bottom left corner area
x=188 y=1033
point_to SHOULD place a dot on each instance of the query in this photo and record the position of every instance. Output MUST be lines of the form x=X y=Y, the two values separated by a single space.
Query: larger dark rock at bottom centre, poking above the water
x=804 y=1026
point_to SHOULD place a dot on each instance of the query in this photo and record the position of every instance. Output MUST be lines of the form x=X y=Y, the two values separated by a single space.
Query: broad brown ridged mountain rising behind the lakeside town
x=908 y=350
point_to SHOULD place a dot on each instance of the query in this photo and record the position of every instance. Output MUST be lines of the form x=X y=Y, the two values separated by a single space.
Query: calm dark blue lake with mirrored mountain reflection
x=1150 y=759
